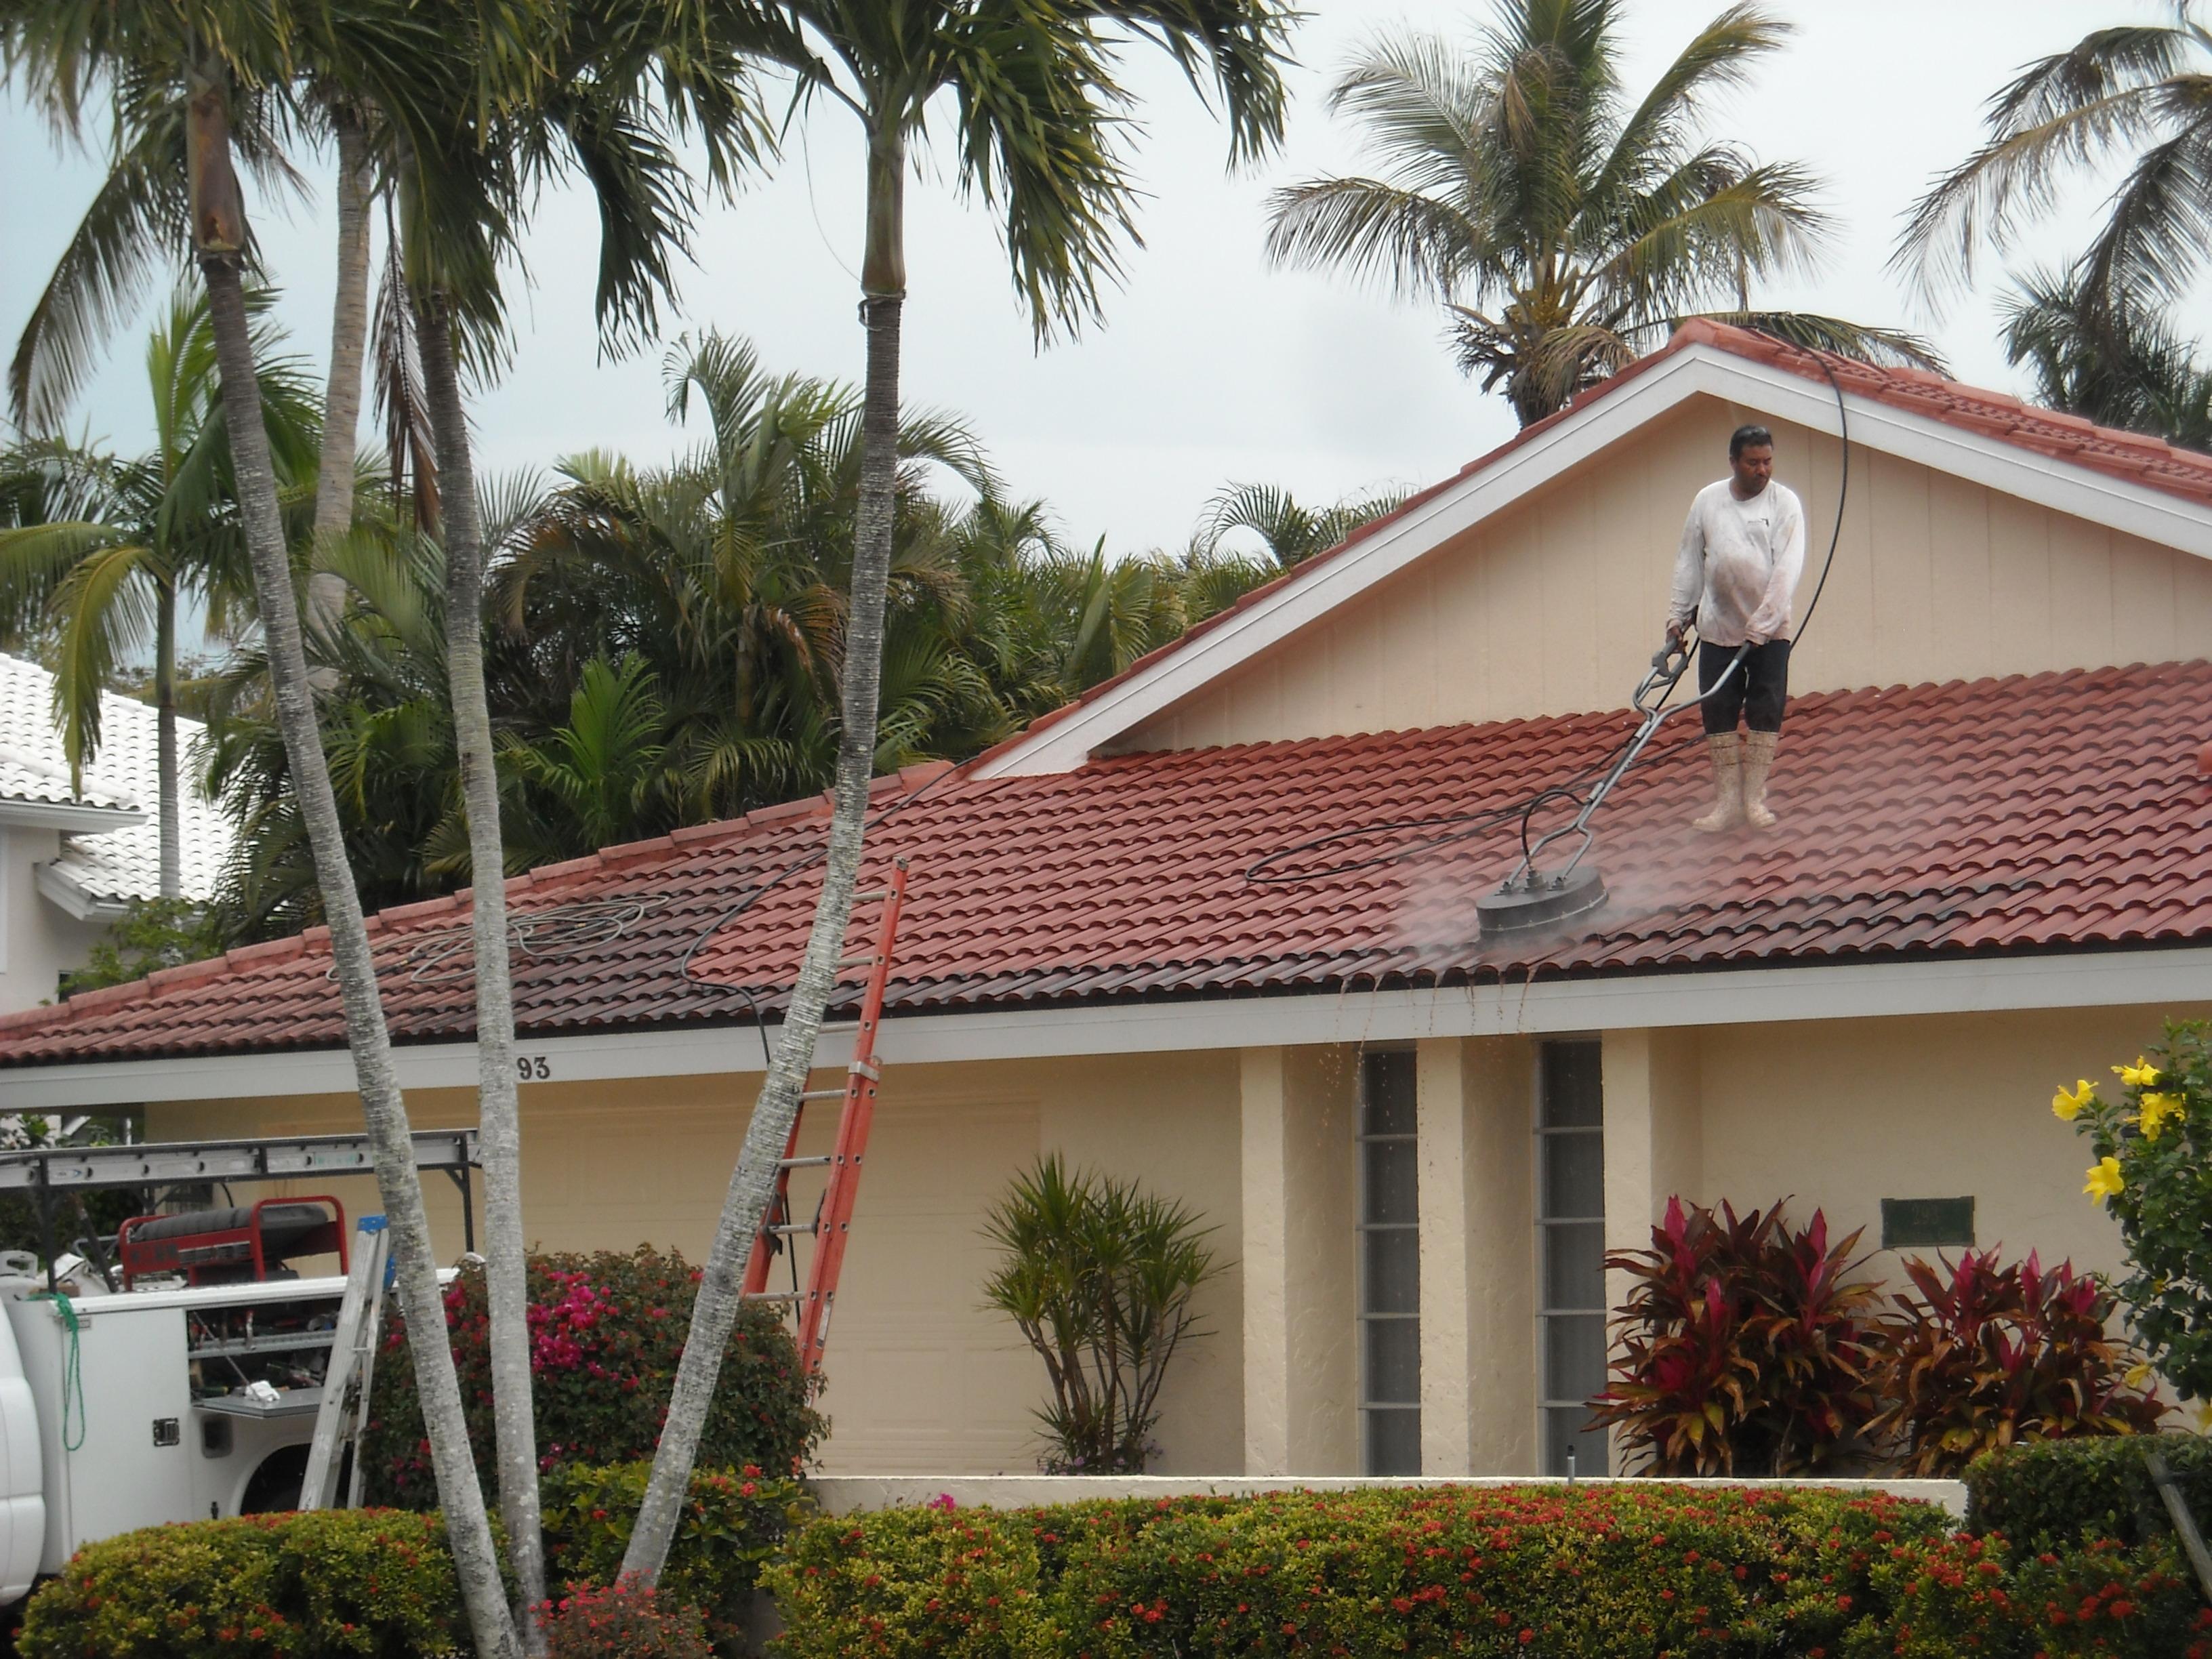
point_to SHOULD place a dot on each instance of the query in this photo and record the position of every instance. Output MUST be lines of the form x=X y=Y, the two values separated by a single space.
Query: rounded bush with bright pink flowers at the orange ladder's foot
x=607 y=1333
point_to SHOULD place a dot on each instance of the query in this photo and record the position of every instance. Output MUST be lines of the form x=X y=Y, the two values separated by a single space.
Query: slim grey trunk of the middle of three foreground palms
x=499 y=1116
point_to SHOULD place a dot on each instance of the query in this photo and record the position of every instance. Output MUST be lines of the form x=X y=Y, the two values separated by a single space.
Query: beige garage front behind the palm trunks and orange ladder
x=921 y=1375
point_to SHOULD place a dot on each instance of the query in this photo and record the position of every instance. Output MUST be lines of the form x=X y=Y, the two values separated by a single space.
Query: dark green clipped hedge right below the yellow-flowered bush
x=2049 y=1496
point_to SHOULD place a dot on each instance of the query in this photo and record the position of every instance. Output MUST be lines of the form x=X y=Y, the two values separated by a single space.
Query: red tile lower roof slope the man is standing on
x=1992 y=817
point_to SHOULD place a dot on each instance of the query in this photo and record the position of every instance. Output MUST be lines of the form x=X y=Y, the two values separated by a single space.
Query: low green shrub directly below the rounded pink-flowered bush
x=731 y=1527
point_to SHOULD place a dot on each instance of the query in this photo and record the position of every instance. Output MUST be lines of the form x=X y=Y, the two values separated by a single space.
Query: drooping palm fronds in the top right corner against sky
x=2133 y=90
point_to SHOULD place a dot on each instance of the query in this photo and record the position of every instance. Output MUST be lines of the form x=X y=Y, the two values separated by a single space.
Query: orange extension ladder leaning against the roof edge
x=833 y=1215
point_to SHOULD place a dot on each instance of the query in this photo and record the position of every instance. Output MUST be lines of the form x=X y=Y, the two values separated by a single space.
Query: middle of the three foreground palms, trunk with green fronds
x=592 y=94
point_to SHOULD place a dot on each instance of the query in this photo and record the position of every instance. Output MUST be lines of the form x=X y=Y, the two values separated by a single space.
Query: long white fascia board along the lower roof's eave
x=1746 y=997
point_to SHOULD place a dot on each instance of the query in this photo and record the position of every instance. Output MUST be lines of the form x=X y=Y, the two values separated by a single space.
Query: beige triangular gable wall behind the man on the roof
x=1556 y=605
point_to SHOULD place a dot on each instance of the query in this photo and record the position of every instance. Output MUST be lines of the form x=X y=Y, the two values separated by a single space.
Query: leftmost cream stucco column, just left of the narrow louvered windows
x=1300 y=1315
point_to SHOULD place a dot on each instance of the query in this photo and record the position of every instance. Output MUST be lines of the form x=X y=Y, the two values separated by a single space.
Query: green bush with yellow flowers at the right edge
x=2153 y=1142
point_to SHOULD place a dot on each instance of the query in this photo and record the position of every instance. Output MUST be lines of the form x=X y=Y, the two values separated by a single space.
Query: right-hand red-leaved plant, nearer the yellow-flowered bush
x=1987 y=1357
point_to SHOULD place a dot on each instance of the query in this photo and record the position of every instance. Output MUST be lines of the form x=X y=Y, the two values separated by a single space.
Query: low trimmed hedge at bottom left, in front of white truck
x=328 y=1585
